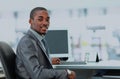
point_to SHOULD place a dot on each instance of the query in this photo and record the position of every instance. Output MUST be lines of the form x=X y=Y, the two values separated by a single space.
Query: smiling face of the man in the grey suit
x=40 y=22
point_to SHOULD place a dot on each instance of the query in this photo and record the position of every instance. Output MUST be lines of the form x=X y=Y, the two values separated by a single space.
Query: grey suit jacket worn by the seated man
x=32 y=62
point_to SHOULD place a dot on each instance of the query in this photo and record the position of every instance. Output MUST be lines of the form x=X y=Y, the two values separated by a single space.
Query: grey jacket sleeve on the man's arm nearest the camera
x=28 y=53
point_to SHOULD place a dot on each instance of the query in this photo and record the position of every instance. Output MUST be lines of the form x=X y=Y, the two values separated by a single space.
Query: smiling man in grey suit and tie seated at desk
x=33 y=61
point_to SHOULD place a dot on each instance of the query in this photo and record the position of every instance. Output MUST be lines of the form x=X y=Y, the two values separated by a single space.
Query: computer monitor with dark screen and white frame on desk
x=58 y=42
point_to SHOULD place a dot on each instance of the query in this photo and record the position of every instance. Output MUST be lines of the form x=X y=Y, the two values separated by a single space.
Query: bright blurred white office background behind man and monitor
x=93 y=24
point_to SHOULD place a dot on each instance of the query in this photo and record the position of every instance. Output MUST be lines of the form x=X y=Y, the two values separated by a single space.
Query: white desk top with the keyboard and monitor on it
x=111 y=64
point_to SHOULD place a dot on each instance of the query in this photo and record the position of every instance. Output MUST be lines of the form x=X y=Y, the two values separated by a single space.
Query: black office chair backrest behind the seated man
x=7 y=57
